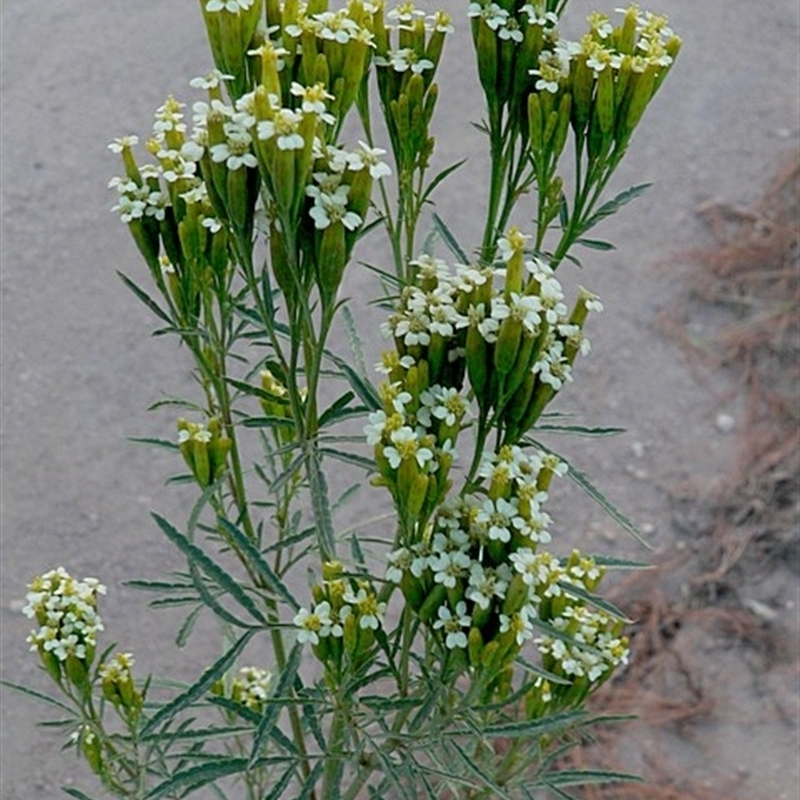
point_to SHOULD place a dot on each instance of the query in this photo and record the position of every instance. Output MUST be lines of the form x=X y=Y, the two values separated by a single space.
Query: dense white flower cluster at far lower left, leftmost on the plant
x=66 y=612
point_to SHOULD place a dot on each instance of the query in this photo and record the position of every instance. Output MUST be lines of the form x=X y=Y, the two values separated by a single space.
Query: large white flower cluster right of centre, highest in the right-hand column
x=516 y=342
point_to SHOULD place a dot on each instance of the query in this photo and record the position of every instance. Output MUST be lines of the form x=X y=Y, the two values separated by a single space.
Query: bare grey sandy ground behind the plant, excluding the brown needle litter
x=79 y=370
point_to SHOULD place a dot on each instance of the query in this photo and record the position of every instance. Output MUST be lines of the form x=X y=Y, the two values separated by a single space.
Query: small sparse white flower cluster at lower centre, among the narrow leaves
x=342 y=623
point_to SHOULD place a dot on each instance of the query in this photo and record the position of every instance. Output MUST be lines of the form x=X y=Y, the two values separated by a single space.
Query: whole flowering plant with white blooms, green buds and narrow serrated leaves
x=453 y=650
